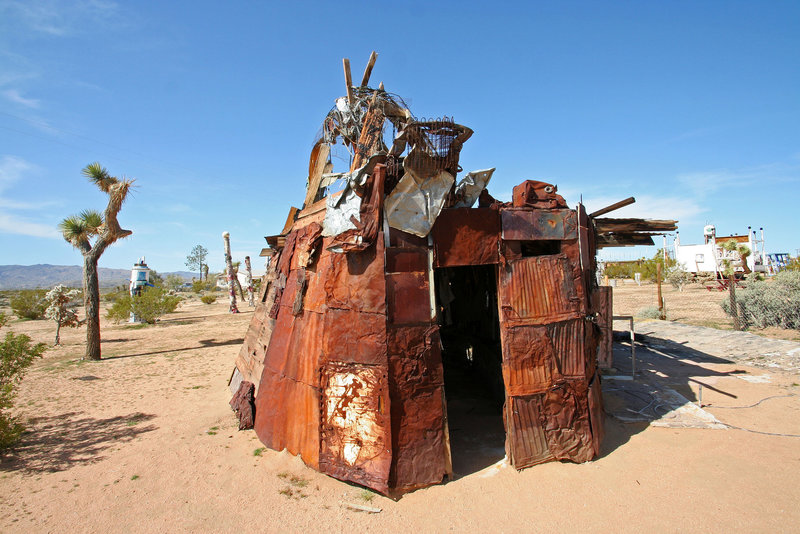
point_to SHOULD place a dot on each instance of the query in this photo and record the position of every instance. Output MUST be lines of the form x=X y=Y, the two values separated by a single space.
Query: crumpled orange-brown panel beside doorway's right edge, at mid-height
x=528 y=360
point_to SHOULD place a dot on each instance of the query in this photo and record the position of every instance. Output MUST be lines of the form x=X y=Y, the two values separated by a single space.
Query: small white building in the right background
x=710 y=257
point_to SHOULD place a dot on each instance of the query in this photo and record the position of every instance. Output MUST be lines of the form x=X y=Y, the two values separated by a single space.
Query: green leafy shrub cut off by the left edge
x=16 y=355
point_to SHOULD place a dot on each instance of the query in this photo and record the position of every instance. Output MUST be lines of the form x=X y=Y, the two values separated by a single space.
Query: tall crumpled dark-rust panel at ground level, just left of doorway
x=416 y=391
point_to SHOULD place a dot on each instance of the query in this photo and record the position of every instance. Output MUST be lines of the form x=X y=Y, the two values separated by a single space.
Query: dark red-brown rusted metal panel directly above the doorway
x=467 y=236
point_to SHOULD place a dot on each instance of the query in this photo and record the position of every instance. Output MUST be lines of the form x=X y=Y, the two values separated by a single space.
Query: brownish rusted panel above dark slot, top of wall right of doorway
x=530 y=225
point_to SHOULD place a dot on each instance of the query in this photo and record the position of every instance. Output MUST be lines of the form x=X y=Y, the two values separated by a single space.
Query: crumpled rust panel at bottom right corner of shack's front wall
x=566 y=412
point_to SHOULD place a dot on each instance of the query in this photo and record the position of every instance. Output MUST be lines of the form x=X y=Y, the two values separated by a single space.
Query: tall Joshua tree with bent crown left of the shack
x=92 y=232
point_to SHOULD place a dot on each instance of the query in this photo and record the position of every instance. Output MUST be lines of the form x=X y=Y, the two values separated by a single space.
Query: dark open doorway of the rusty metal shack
x=472 y=359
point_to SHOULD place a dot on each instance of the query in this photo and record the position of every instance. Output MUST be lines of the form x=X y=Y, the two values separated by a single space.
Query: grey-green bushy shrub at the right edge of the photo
x=769 y=303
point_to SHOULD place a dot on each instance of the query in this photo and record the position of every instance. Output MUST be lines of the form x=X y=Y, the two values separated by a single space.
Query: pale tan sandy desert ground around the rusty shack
x=144 y=441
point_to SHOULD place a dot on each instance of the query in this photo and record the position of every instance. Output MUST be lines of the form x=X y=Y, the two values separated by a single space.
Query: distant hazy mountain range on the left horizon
x=46 y=276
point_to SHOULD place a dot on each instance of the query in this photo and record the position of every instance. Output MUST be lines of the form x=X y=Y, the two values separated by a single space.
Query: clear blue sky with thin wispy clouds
x=213 y=107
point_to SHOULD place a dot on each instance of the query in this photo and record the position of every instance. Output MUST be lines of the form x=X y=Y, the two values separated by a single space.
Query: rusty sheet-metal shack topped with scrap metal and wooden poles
x=407 y=288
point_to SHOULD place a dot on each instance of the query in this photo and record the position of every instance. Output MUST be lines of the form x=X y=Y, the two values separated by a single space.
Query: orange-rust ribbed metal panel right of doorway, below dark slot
x=538 y=290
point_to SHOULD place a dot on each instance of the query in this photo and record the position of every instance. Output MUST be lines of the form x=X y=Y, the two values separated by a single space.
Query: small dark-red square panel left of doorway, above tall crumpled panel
x=408 y=298
